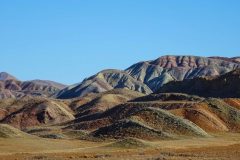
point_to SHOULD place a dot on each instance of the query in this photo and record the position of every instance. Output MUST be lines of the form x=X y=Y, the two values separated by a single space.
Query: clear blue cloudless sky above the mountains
x=68 y=40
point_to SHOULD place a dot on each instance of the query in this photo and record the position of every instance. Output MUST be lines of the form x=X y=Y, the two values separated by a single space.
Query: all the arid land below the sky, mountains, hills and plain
x=174 y=107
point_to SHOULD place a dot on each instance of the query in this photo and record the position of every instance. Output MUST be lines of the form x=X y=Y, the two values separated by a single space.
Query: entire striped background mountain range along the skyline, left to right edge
x=145 y=77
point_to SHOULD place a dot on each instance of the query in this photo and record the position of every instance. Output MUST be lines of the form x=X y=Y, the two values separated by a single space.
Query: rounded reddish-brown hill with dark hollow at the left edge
x=34 y=111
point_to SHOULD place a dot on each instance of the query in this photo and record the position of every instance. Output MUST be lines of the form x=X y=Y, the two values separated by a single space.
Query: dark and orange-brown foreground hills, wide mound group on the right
x=163 y=116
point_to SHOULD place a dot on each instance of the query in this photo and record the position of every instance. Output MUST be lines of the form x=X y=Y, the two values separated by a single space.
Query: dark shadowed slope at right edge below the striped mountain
x=227 y=85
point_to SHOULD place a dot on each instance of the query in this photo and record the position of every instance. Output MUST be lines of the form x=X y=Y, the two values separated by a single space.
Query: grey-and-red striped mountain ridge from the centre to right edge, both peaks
x=149 y=76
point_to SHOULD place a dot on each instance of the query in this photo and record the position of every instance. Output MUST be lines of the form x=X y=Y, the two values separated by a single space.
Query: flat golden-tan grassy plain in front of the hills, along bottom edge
x=220 y=146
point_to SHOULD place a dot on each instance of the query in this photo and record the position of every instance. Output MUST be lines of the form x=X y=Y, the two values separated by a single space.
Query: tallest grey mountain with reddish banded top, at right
x=168 y=68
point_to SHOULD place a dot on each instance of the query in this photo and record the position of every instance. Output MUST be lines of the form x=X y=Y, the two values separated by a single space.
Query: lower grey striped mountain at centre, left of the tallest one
x=104 y=81
